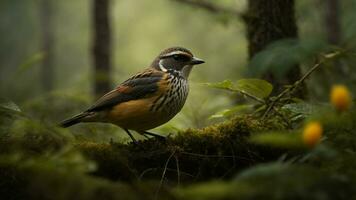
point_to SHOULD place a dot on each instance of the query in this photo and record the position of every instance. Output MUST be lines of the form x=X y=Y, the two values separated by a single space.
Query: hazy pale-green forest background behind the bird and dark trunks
x=47 y=49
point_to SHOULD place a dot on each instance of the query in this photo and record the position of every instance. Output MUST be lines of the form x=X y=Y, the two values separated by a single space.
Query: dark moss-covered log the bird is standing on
x=218 y=151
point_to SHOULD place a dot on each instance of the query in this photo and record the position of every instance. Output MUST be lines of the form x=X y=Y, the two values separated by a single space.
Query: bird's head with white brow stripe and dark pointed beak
x=176 y=59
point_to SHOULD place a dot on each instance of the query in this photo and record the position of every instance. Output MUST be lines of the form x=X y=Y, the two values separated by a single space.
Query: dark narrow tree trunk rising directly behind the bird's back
x=101 y=47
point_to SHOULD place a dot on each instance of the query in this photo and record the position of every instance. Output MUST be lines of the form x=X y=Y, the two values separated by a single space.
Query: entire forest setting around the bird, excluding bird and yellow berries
x=57 y=57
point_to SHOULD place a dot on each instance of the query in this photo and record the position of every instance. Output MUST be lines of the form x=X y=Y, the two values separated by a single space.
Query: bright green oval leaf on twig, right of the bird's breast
x=254 y=87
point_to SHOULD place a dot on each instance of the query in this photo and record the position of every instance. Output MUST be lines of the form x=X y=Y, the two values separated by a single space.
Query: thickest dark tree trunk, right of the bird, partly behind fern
x=269 y=21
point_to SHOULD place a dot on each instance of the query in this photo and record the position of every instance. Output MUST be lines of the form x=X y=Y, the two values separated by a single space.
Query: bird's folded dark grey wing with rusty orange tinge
x=141 y=85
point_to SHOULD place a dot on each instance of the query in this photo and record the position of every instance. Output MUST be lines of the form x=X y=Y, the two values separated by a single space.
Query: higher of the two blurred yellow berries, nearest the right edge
x=340 y=97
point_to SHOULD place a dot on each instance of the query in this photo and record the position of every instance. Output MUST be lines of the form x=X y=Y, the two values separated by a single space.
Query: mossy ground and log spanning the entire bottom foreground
x=39 y=161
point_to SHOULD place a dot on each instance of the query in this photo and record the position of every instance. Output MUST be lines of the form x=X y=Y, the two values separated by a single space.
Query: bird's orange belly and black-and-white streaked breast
x=148 y=113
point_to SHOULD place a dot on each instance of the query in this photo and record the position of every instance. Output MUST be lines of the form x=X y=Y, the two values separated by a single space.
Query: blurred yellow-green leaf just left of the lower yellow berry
x=278 y=139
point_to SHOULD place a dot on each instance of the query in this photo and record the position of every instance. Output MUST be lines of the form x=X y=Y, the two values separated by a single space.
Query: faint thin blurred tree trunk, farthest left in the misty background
x=47 y=44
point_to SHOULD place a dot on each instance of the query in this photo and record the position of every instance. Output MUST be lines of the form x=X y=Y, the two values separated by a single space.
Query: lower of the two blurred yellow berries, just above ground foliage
x=312 y=133
